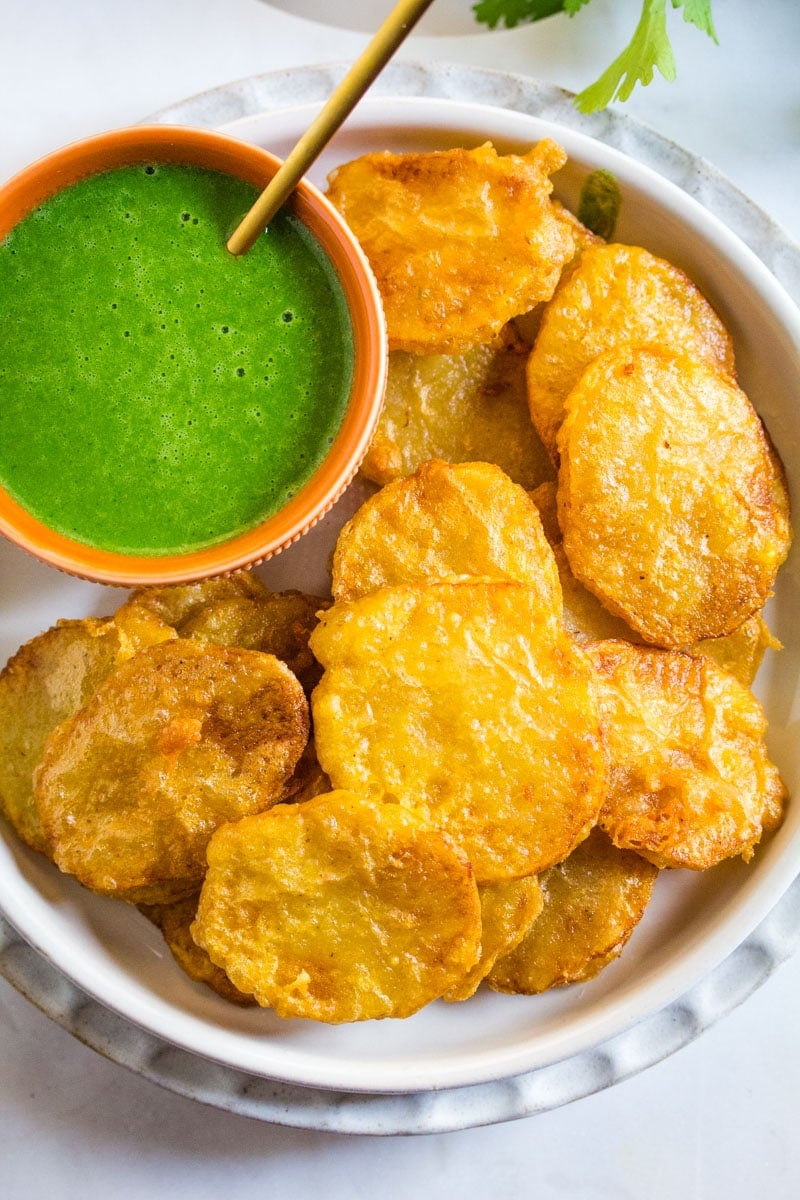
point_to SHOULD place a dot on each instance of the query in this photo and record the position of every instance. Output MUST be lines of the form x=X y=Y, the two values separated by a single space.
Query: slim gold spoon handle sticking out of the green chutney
x=341 y=104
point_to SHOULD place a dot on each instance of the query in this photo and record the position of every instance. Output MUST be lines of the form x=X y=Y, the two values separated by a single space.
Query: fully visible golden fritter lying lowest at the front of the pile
x=339 y=910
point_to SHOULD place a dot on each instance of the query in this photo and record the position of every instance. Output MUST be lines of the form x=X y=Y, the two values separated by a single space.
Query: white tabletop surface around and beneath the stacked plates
x=718 y=1119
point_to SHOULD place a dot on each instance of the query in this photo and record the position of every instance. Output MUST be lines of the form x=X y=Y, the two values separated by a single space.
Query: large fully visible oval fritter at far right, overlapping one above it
x=673 y=509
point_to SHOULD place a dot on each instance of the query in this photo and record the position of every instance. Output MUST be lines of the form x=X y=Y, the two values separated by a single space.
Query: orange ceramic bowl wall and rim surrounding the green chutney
x=202 y=148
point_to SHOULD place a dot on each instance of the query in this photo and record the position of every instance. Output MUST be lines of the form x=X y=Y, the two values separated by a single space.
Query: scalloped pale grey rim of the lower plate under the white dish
x=655 y=1036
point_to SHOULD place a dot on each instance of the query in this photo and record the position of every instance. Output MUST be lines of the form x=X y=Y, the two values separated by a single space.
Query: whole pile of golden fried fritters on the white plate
x=531 y=691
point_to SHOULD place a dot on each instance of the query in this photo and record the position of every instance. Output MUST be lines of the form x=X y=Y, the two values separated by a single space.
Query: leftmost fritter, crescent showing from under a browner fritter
x=47 y=681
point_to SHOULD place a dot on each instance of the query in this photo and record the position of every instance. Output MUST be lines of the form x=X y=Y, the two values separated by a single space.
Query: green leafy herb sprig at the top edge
x=648 y=51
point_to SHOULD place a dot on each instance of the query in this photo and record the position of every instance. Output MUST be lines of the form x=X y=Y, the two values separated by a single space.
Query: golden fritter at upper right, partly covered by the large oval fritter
x=616 y=296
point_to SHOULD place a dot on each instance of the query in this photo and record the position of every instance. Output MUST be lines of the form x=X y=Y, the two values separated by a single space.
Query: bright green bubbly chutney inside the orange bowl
x=159 y=395
